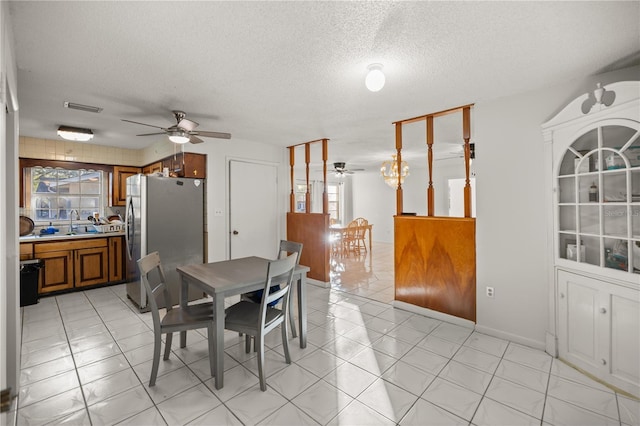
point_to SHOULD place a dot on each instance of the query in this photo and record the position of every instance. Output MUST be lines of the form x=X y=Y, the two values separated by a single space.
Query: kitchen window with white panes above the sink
x=53 y=194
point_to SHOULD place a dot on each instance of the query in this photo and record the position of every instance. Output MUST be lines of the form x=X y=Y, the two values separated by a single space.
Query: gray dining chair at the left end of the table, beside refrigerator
x=175 y=319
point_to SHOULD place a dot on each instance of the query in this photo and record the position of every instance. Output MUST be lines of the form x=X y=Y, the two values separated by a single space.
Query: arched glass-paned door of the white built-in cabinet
x=599 y=199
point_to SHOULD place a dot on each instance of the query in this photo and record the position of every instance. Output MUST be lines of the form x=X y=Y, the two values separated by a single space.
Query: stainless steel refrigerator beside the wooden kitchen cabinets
x=166 y=215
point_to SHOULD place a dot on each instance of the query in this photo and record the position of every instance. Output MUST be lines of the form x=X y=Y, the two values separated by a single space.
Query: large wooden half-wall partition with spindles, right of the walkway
x=435 y=257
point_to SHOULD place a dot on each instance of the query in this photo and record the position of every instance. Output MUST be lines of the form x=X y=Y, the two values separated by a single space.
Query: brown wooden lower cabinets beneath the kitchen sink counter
x=79 y=263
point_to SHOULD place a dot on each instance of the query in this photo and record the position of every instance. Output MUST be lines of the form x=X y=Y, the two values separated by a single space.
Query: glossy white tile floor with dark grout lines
x=87 y=357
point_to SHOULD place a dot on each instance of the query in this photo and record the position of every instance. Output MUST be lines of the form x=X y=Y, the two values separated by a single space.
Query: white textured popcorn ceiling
x=289 y=72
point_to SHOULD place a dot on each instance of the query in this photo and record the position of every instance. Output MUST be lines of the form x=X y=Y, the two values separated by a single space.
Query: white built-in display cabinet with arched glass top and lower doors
x=593 y=155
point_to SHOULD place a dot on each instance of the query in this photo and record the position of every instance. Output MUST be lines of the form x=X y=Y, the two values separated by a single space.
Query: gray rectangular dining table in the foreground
x=230 y=278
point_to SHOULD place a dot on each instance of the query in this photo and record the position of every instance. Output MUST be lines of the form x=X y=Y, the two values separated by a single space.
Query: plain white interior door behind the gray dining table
x=253 y=209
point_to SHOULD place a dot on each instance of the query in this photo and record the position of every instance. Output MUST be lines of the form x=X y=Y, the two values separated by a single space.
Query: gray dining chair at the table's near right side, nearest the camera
x=256 y=320
